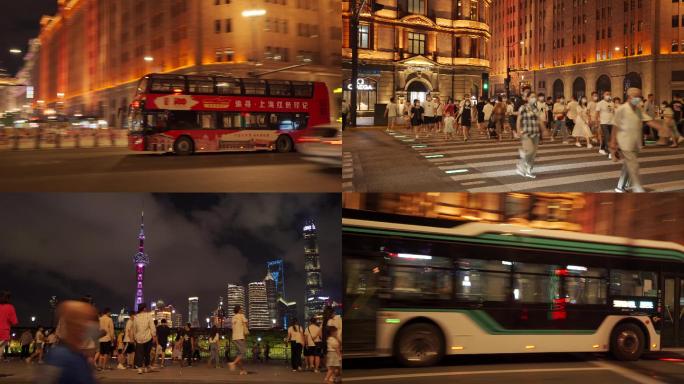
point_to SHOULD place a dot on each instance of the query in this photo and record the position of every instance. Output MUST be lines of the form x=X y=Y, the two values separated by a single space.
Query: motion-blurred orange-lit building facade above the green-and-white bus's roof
x=638 y=217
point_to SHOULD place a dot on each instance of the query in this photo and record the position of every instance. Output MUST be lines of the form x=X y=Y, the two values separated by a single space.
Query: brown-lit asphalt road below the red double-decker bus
x=120 y=170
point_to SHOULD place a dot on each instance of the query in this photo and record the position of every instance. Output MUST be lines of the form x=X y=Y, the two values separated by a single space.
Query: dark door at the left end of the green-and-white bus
x=361 y=289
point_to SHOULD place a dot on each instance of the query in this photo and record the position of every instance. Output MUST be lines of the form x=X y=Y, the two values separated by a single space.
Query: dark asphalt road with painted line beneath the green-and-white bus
x=531 y=369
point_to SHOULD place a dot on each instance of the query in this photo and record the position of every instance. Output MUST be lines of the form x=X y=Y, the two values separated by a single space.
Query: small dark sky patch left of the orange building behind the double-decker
x=20 y=22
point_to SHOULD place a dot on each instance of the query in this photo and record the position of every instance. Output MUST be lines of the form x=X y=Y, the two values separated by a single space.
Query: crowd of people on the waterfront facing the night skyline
x=86 y=341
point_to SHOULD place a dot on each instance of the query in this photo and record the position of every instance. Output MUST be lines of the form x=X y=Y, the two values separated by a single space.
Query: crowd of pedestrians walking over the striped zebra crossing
x=619 y=128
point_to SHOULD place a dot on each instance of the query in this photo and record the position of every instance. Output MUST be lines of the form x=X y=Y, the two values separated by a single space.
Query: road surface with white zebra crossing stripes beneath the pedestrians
x=376 y=161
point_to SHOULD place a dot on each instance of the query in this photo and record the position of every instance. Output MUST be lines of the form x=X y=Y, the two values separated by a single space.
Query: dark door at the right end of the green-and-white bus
x=672 y=333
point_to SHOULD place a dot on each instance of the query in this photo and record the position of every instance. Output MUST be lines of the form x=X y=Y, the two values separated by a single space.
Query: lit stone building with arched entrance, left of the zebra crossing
x=414 y=47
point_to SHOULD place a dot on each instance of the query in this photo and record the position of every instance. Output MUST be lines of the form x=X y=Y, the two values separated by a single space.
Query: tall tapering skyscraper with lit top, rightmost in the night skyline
x=313 y=304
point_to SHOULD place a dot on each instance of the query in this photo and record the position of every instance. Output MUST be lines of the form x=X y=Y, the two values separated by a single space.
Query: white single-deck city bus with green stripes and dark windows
x=419 y=288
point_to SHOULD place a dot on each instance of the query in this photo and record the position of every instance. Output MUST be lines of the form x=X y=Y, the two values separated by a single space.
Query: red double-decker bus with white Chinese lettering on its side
x=185 y=114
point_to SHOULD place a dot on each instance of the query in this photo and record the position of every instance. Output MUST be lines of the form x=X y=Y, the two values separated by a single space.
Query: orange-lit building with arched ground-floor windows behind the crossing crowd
x=577 y=47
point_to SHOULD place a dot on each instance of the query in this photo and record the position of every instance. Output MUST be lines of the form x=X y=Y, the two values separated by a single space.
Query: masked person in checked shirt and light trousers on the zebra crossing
x=528 y=121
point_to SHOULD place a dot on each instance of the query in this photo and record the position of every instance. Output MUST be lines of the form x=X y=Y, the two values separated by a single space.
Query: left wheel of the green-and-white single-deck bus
x=419 y=345
